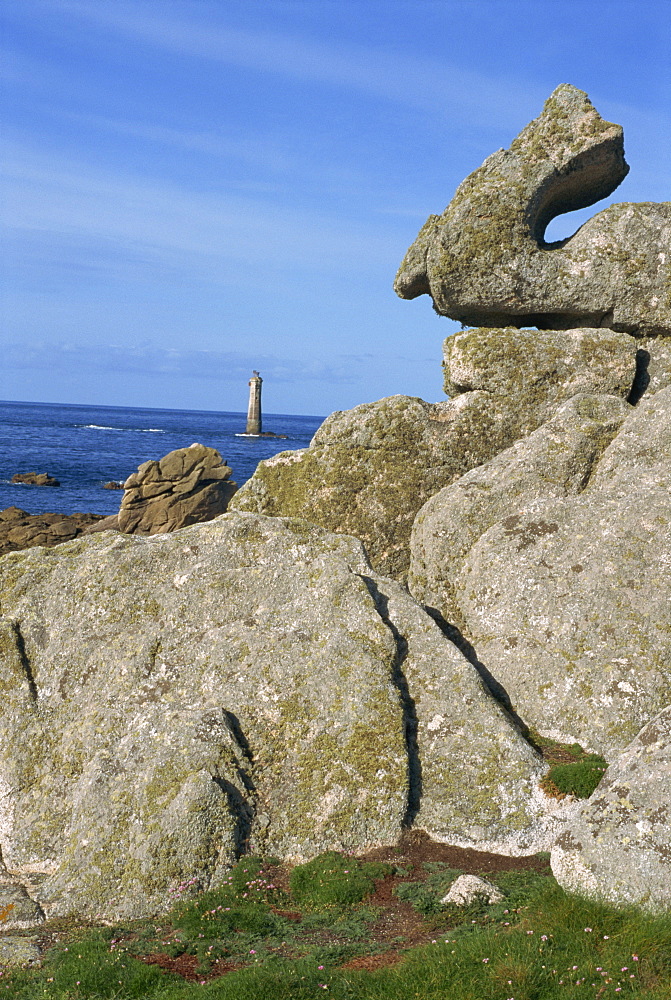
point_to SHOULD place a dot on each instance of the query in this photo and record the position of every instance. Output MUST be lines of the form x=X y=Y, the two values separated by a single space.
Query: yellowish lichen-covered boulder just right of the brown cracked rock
x=369 y=470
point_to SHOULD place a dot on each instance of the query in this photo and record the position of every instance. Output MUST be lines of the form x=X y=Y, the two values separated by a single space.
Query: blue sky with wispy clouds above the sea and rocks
x=196 y=188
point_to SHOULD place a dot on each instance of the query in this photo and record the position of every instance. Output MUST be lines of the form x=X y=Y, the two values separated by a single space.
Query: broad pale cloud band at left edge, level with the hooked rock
x=53 y=197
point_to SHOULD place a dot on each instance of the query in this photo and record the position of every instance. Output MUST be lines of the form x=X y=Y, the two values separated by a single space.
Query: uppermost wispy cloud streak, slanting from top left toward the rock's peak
x=442 y=87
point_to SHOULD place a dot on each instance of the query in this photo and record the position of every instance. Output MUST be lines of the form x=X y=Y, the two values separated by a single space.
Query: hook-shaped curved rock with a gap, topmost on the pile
x=484 y=262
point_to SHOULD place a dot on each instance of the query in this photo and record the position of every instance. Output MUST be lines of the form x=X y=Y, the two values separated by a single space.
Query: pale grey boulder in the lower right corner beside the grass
x=618 y=847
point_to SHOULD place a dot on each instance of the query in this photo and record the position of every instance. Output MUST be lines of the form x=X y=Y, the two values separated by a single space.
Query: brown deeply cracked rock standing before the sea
x=186 y=486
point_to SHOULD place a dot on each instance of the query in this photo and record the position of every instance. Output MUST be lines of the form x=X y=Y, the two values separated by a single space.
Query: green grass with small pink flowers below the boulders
x=539 y=944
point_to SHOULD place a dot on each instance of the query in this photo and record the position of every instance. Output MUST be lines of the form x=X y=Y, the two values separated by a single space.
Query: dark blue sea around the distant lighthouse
x=86 y=446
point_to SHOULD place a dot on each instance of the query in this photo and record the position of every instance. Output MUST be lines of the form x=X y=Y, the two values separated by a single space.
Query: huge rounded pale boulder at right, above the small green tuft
x=553 y=561
